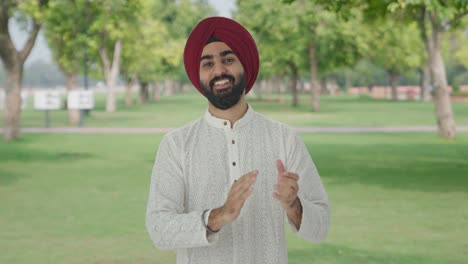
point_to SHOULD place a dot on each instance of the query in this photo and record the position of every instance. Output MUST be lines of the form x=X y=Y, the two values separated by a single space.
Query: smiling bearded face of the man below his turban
x=222 y=76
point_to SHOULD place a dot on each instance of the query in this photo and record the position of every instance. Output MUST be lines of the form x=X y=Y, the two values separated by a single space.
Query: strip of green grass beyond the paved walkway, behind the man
x=174 y=111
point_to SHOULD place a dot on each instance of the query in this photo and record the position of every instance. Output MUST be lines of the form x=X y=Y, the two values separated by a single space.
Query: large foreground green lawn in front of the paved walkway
x=395 y=198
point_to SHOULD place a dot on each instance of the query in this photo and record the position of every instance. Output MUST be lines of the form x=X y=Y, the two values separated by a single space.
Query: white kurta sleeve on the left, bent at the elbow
x=168 y=225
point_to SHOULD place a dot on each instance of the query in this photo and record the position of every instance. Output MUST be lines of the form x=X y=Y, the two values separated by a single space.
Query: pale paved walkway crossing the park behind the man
x=147 y=130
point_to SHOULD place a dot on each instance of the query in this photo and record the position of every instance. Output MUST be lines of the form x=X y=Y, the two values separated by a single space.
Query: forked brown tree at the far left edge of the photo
x=30 y=12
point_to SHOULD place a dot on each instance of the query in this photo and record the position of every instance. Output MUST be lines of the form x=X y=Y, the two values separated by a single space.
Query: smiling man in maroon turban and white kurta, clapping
x=223 y=185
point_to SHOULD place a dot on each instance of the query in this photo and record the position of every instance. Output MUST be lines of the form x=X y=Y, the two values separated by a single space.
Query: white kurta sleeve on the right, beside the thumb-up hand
x=315 y=208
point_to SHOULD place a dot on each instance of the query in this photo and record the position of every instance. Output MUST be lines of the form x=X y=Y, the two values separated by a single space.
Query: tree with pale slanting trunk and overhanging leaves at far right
x=434 y=18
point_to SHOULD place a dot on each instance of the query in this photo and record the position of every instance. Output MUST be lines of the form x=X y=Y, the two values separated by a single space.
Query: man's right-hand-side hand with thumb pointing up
x=286 y=187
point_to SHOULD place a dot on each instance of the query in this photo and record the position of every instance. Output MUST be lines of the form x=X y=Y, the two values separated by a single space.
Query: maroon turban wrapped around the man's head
x=229 y=32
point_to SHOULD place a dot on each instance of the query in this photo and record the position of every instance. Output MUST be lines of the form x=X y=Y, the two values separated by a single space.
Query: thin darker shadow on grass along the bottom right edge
x=328 y=253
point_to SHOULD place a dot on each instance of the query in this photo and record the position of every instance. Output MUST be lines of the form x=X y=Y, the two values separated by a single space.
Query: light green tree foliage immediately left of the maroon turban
x=154 y=45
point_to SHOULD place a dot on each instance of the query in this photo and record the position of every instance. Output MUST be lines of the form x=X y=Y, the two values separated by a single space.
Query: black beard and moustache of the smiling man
x=225 y=99
